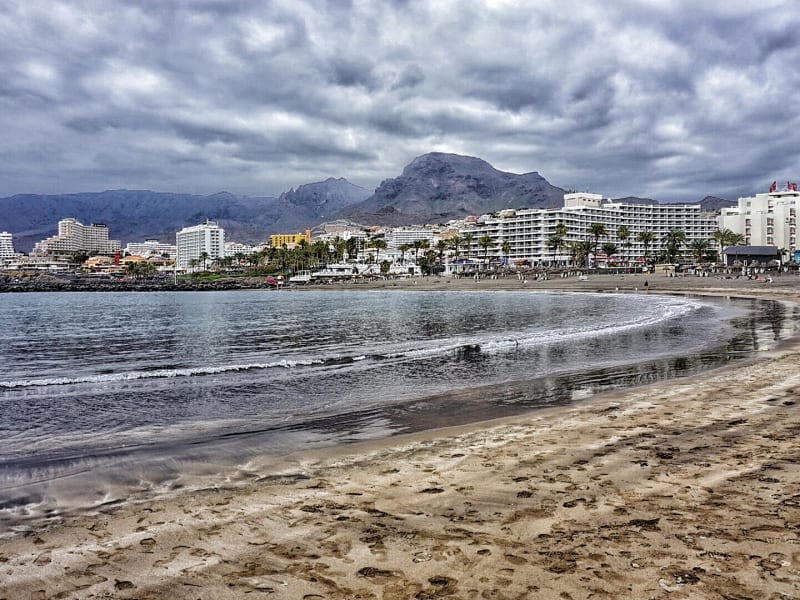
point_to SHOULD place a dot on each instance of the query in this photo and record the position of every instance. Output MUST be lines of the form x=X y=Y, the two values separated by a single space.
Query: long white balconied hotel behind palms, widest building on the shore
x=528 y=231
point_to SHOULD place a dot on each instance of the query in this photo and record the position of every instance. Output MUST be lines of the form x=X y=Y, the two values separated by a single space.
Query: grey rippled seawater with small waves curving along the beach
x=106 y=397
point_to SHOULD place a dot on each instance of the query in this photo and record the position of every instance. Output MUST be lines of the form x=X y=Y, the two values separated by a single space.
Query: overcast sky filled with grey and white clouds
x=672 y=100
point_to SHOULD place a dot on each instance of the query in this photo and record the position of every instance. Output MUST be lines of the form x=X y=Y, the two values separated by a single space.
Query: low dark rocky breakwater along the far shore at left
x=31 y=281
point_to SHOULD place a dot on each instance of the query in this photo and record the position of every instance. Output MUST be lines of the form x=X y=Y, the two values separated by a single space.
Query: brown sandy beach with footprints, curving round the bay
x=688 y=488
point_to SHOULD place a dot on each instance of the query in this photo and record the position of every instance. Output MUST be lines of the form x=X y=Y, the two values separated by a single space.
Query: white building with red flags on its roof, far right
x=766 y=219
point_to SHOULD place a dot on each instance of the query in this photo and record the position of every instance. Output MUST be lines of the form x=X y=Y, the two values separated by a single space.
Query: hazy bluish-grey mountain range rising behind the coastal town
x=433 y=188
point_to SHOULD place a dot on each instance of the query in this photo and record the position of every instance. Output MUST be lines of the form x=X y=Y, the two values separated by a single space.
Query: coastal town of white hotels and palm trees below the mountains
x=587 y=234
